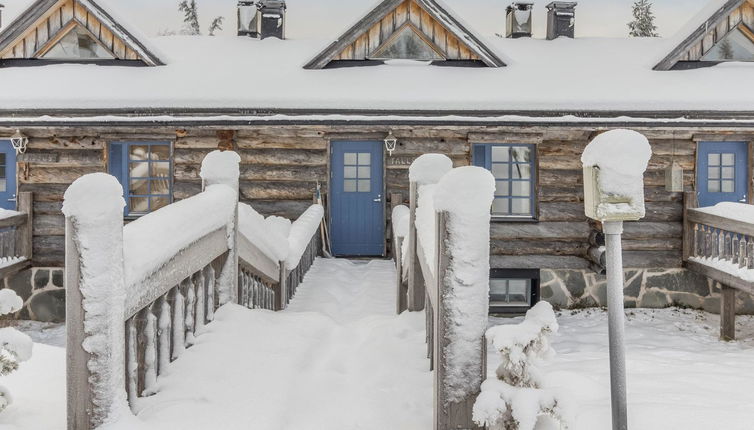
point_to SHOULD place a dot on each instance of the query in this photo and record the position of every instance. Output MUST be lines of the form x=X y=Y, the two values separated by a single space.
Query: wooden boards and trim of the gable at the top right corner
x=696 y=45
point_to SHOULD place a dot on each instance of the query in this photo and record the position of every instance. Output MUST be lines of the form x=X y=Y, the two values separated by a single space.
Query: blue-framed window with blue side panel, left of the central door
x=145 y=169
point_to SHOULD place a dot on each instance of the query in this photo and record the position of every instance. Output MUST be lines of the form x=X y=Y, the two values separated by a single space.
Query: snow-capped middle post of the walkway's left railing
x=222 y=168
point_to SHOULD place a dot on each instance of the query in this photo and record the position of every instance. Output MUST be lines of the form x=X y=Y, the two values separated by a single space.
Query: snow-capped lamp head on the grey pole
x=614 y=166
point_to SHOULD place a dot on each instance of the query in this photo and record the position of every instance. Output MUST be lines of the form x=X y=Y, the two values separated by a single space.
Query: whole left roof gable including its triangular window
x=70 y=30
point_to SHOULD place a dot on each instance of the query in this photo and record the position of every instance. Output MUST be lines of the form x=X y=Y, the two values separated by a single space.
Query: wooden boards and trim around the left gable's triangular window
x=45 y=20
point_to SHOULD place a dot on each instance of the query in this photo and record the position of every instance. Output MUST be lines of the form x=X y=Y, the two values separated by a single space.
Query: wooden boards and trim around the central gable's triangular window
x=374 y=28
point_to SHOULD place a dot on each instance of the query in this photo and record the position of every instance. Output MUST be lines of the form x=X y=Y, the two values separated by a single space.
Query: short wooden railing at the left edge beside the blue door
x=16 y=238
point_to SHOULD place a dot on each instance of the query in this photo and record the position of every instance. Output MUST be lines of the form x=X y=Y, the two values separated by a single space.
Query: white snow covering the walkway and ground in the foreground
x=339 y=359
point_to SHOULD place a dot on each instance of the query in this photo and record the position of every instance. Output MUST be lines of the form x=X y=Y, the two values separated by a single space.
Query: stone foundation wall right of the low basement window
x=644 y=288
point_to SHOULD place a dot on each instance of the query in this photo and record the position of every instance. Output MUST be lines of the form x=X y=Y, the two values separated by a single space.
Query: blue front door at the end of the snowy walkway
x=357 y=208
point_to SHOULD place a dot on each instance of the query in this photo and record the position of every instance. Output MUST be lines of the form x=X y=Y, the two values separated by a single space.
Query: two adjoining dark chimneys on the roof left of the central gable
x=261 y=18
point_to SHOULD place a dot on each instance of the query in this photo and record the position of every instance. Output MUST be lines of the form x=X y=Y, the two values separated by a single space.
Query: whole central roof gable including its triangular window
x=402 y=24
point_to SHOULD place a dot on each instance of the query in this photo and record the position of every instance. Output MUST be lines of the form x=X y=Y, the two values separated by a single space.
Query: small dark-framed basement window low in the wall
x=513 y=291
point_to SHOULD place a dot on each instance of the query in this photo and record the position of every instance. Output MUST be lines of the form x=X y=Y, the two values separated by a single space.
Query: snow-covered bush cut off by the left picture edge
x=15 y=346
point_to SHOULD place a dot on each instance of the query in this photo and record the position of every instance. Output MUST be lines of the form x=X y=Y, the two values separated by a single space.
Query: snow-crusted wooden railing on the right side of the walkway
x=435 y=280
